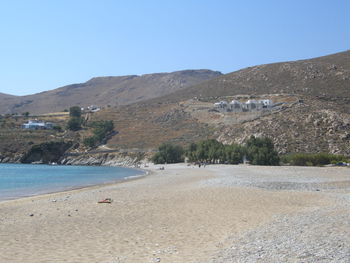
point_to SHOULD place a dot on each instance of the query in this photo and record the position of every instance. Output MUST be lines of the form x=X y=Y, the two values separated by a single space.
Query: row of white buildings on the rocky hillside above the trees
x=250 y=105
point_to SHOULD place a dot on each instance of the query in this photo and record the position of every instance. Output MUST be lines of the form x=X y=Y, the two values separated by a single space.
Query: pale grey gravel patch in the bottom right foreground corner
x=317 y=236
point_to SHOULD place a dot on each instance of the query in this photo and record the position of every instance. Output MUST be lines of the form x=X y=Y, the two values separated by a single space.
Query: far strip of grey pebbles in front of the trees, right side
x=282 y=178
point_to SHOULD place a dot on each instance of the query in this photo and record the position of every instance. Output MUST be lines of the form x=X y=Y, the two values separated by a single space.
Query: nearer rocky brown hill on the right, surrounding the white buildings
x=314 y=117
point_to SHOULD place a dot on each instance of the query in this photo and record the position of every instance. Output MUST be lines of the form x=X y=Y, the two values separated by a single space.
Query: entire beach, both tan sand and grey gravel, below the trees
x=188 y=214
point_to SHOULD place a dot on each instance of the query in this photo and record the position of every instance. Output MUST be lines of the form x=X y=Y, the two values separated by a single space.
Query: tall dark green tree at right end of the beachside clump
x=260 y=151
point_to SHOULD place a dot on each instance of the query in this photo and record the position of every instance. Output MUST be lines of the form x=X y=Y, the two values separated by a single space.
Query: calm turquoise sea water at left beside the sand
x=20 y=180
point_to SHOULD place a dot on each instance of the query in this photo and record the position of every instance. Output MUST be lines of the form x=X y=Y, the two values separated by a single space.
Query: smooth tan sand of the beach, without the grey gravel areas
x=181 y=214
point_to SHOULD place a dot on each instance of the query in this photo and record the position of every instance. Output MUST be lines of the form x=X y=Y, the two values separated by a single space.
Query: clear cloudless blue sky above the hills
x=50 y=43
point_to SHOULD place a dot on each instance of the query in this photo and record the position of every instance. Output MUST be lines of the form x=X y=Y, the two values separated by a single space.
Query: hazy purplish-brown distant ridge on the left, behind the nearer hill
x=103 y=91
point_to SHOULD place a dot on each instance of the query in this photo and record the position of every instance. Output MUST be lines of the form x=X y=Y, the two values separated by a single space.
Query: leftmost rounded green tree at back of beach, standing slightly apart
x=168 y=153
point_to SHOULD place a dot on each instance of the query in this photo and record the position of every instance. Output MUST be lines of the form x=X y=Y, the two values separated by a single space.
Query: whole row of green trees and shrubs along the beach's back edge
x=258 y=151
